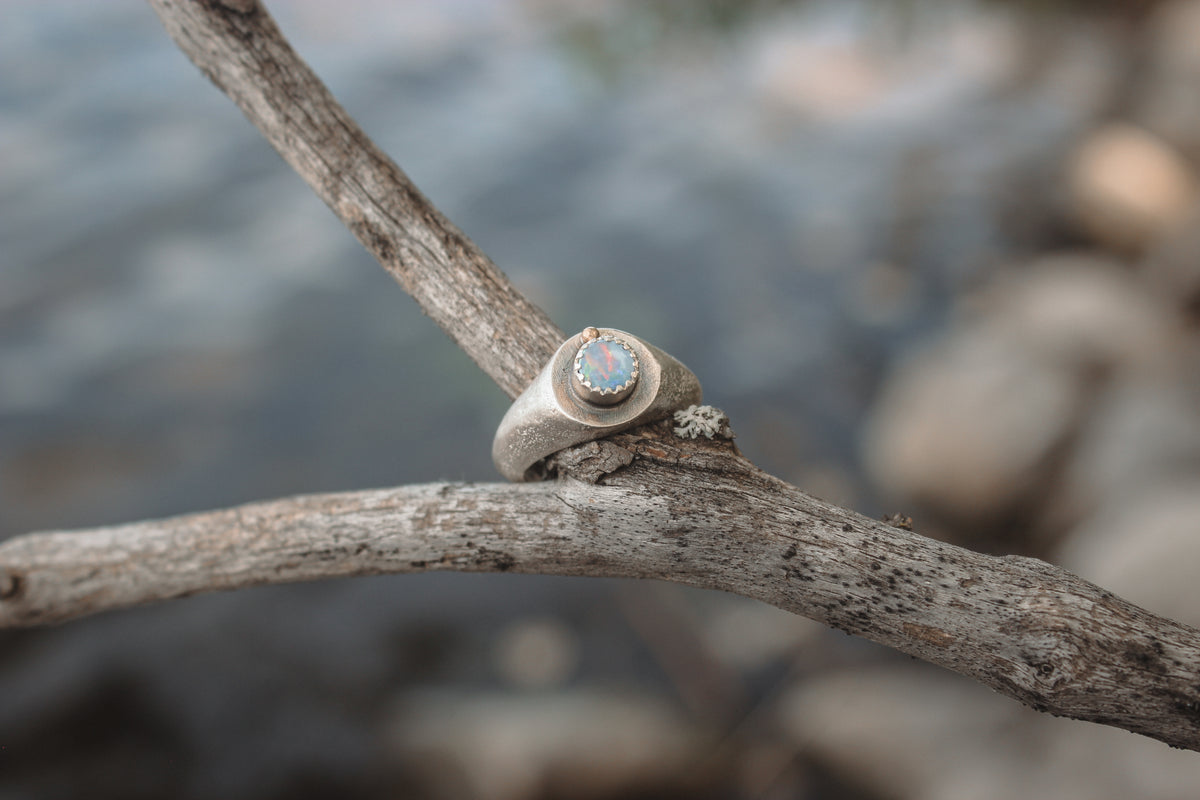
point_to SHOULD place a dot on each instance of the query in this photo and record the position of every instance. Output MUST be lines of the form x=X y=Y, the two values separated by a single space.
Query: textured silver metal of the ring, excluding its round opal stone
x=550 y=416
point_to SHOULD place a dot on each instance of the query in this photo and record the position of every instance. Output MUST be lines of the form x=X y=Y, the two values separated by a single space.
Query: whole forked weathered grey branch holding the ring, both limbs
x=644 y=504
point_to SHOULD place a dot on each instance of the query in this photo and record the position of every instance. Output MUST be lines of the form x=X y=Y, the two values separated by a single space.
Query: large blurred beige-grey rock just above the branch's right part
x=967 y=429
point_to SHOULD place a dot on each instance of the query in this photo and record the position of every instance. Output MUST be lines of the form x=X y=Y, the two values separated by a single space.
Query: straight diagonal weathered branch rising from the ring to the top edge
x=238 y=46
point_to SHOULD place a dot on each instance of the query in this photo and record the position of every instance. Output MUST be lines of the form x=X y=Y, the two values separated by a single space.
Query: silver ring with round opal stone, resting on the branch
x=599 y=382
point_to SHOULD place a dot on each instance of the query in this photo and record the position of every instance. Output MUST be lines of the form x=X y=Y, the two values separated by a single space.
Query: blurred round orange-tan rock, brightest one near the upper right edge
x=1129 y=188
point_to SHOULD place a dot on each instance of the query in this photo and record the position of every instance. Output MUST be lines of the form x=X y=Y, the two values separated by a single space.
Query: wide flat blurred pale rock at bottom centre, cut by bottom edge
x=568 y=745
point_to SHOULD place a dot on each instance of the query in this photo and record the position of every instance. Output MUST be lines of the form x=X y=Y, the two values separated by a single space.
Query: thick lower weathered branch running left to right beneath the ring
x=694 y=515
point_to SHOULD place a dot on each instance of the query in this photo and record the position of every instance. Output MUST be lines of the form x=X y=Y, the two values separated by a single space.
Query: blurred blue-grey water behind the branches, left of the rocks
x=785 y=207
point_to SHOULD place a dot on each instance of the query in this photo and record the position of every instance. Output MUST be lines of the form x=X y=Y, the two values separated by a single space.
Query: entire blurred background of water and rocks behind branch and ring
x=933 y=257
